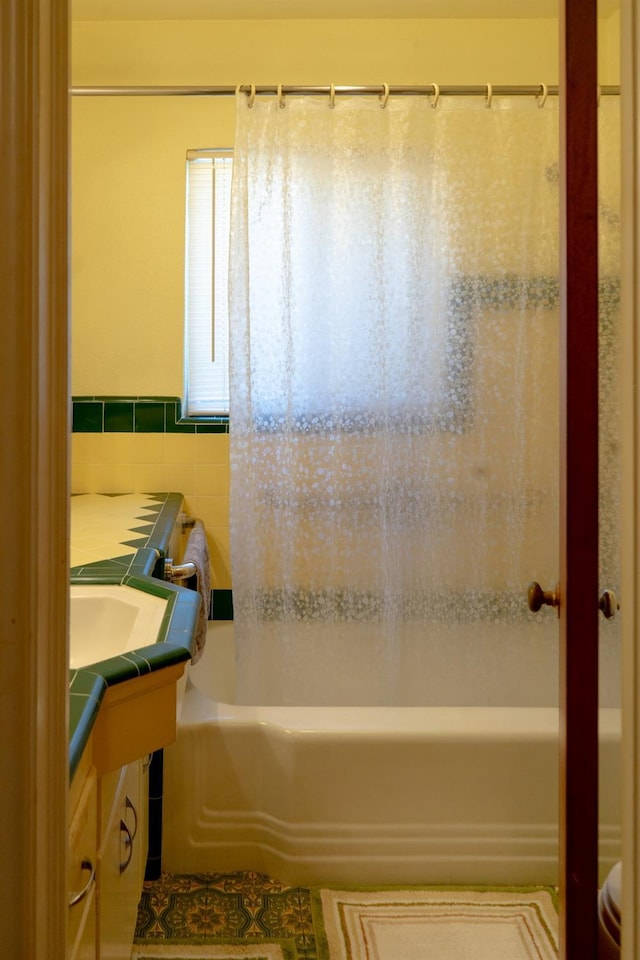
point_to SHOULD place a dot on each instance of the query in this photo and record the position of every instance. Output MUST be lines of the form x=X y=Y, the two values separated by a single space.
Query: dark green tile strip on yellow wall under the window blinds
x=98 y=414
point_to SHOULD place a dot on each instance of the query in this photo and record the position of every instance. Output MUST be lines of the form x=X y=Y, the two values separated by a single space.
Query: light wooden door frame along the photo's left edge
x=34 y=565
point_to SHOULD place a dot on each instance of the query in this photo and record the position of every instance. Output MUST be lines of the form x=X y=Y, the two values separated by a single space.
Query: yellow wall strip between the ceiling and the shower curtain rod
x=316 y=51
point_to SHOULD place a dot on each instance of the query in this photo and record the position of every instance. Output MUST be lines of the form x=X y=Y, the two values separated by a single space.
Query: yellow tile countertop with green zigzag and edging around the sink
x=124 y=539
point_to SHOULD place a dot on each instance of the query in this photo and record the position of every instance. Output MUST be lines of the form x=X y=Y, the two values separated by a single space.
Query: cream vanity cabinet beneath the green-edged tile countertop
x=108 y=829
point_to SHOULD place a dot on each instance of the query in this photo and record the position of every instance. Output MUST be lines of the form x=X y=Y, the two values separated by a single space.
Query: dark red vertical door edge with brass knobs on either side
x=579 y=482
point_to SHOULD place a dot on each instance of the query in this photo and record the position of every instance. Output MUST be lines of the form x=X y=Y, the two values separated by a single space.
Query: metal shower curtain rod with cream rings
x=430 y=89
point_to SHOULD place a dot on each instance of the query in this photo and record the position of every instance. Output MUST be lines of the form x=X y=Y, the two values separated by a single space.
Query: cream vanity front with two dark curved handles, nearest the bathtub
x=119 y=861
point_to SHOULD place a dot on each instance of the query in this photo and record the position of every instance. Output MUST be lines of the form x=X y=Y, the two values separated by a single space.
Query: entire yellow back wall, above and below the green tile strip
x=128 y=189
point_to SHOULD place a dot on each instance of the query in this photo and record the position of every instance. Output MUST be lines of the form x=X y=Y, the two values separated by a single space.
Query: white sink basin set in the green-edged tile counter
x=111 y=619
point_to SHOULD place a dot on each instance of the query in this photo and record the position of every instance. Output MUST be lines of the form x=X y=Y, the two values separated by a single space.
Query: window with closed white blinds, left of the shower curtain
x=206 y=270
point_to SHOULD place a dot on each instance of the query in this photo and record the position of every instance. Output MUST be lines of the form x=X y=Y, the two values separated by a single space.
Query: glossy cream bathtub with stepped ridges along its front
x=369 y=795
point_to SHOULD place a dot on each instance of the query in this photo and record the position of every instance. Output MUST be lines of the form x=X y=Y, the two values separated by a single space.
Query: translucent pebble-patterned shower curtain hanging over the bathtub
x=393 y=423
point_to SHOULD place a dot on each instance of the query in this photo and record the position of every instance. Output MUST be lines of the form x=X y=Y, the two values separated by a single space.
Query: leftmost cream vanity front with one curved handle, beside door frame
x=81 y=884
